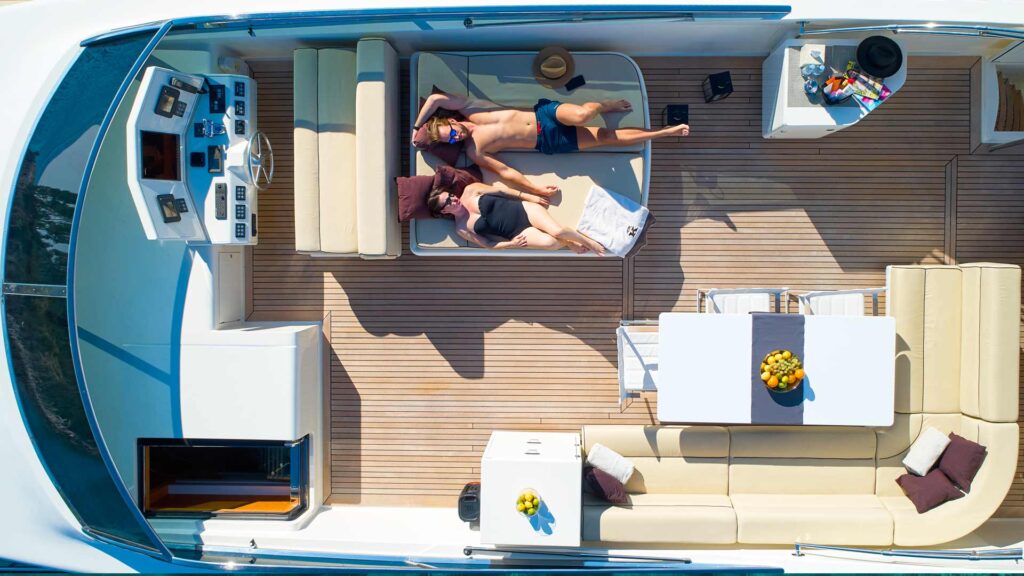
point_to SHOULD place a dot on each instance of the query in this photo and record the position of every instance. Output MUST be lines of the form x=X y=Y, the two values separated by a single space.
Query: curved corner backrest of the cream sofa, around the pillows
x=959 y=518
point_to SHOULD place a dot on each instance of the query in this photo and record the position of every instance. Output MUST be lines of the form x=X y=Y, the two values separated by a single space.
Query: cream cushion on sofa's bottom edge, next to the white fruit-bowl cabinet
x=702 y=519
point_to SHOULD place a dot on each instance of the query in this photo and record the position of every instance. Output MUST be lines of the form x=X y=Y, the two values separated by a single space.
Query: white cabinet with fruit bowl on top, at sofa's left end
x=548 y=465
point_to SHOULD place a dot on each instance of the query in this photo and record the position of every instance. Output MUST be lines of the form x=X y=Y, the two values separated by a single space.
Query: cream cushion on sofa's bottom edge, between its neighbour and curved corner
x=784 y=519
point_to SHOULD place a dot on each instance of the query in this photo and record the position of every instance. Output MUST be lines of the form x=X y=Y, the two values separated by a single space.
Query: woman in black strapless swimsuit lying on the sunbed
x=502 y=219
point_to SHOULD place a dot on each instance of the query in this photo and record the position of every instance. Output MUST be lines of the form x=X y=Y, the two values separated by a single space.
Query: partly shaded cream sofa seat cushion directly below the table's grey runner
x=801 y=461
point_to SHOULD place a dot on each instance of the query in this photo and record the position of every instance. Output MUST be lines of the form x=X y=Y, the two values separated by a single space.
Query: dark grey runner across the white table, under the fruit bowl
x=772 y=333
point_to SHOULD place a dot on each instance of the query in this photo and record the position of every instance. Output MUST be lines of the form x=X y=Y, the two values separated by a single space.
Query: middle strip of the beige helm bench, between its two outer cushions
x=337 y=142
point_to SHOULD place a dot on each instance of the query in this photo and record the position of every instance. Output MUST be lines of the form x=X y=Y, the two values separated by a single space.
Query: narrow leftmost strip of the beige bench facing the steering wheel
x=307 y=155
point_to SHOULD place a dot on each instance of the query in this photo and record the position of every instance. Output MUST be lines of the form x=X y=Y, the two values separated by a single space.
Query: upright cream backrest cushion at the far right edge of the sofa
x=991 y=366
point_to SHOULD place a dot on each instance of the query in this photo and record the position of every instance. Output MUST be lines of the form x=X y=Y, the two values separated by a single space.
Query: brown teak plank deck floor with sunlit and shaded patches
x=430 y=355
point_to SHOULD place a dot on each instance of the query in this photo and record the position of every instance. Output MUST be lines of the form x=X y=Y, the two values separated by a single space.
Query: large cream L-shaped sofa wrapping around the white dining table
x=958 y=371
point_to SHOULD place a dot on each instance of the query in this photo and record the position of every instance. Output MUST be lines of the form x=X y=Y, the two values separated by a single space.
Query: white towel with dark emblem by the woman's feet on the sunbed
x=612 y=220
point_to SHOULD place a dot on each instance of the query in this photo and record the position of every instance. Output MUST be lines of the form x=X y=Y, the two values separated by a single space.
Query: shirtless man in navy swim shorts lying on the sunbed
x=552 y=129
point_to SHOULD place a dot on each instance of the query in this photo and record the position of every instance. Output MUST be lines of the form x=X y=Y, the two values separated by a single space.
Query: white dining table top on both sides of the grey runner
x=705 y=373
